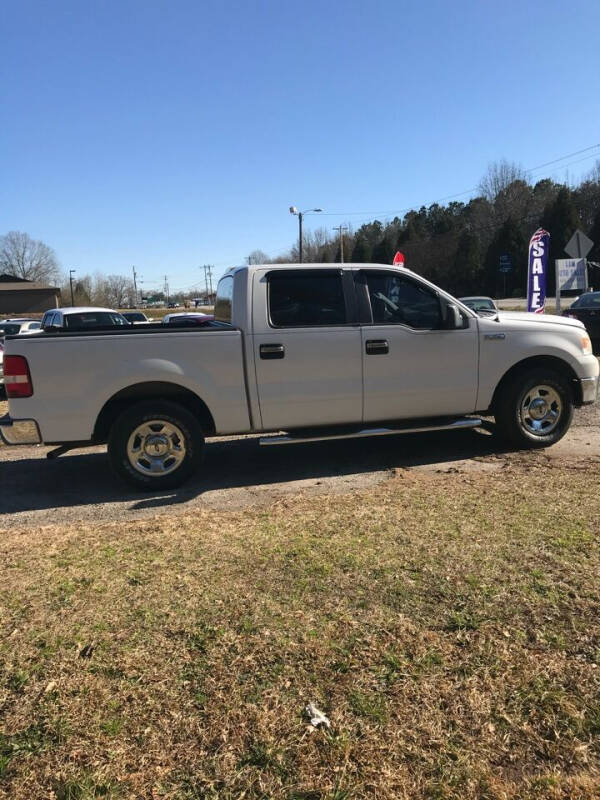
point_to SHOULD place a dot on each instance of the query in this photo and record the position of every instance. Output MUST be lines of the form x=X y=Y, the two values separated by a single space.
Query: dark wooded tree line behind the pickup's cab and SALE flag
x=458 y=245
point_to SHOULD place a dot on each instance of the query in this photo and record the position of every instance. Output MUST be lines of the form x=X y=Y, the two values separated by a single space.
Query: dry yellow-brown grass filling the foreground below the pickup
x=448 y=626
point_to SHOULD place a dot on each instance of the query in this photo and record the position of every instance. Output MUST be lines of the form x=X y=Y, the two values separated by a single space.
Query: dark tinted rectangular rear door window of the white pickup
x=303 y=299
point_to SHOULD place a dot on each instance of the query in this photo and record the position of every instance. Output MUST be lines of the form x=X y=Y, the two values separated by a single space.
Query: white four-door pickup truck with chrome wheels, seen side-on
x=316 y=351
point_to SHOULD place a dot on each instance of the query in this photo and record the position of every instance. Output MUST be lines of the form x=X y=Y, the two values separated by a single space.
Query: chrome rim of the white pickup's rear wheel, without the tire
x=156 y=448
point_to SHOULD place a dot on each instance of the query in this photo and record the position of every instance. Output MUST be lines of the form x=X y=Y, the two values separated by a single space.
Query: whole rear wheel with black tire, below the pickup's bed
x=155 y=445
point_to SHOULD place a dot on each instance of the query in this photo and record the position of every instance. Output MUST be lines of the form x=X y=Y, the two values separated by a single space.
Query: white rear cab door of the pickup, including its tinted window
x=307 y=348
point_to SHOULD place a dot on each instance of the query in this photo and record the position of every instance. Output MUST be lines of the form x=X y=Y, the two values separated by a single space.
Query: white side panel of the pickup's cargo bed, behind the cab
x=68 y=395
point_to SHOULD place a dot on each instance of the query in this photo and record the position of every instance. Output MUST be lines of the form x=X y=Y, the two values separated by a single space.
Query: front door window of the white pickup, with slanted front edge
x=396 y=300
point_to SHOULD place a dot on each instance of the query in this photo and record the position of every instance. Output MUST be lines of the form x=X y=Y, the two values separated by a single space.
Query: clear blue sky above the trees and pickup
x=173 y=134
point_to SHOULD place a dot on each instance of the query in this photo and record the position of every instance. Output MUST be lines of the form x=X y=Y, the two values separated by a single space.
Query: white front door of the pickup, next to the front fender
x=413 y=366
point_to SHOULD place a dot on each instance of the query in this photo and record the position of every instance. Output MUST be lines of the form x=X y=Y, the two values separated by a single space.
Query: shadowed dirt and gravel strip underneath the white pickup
x=239 y=474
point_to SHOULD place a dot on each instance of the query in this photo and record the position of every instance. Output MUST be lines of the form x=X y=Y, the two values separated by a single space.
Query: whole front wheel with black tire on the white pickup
x=534 y=409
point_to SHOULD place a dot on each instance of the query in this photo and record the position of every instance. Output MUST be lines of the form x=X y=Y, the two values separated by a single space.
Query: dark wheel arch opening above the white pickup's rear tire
x=151 y=390
